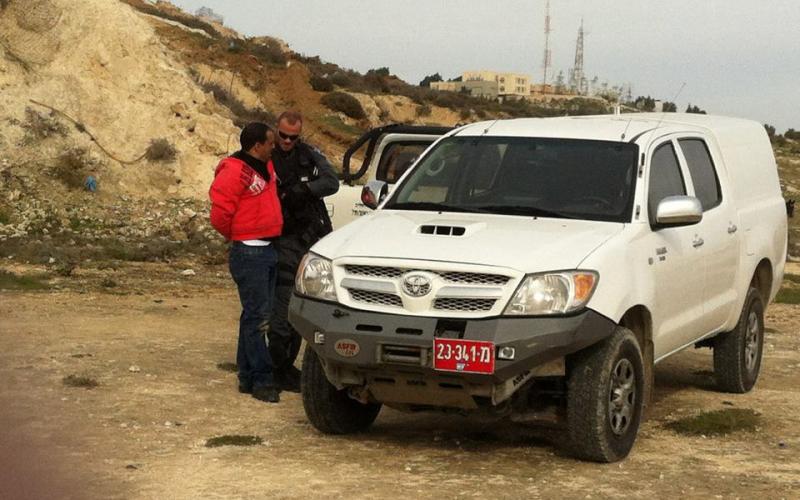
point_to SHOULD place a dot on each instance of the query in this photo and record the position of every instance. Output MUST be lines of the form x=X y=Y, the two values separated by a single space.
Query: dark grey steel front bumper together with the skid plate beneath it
x=391 y=354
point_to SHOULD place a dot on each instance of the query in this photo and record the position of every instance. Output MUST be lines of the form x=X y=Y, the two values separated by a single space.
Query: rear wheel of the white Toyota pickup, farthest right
x=737 y=354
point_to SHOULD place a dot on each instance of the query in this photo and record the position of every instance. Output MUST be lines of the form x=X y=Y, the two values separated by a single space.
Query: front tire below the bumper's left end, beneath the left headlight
x=330 y=410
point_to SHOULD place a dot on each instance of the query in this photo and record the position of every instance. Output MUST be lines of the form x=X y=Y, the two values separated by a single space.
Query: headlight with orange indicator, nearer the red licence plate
x=552 y=293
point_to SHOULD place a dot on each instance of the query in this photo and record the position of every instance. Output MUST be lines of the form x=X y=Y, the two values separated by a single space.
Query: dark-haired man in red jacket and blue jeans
x=246 y=210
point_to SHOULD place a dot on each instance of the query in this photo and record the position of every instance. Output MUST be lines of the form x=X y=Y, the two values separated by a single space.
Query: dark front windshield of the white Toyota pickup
x=561 y=178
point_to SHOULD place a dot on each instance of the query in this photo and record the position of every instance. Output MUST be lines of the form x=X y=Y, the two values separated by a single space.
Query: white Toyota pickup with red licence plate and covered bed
x=537 y=269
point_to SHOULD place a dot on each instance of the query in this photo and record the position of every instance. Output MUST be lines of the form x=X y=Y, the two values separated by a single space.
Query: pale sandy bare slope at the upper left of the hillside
x=101 y=63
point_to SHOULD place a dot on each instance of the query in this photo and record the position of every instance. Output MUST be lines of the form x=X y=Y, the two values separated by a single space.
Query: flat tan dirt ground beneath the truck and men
x=153 y=344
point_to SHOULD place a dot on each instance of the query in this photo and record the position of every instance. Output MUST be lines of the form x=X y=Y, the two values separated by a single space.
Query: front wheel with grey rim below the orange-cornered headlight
x=605 y=397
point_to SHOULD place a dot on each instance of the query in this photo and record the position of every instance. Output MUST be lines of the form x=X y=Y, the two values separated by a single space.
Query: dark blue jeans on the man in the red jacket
x=254 y=269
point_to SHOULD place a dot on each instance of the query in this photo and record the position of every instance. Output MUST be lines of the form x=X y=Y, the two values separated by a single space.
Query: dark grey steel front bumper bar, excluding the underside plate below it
x=400 y=342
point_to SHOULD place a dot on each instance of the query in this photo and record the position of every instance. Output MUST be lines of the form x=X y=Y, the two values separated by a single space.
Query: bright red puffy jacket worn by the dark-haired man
x=244 y=206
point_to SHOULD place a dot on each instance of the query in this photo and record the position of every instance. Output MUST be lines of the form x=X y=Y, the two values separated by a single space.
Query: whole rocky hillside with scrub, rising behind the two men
x=145 y=99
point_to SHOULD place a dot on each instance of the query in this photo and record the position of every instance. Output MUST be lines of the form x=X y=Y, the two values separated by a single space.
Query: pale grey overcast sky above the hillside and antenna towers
x=730 y=57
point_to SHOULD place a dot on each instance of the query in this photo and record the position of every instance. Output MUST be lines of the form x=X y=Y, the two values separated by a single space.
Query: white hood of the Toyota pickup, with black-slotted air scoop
x=526 y=244
